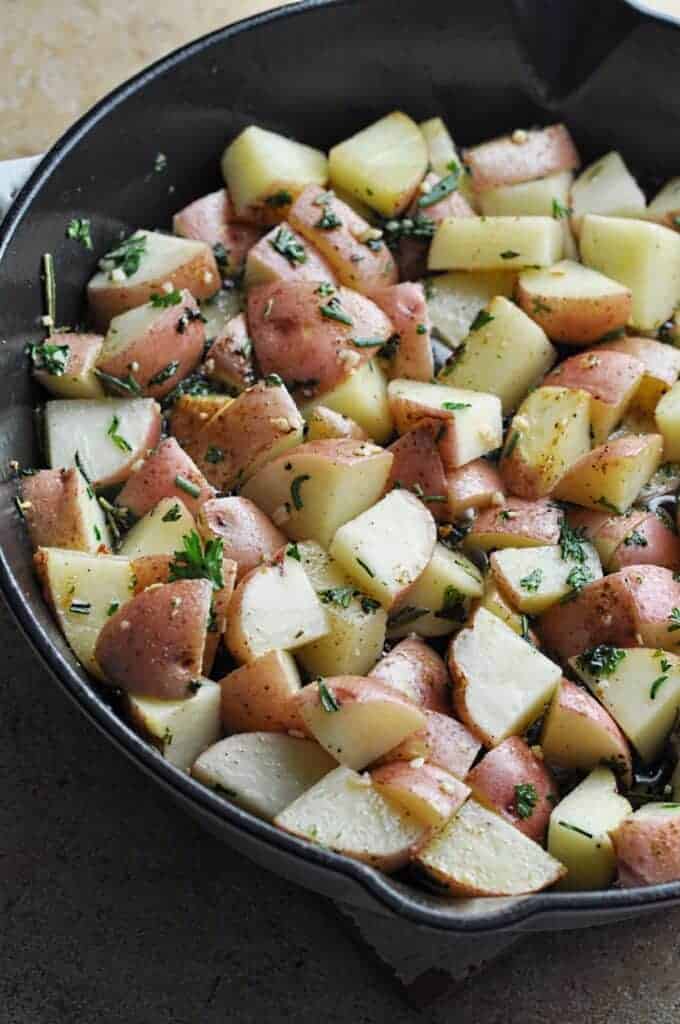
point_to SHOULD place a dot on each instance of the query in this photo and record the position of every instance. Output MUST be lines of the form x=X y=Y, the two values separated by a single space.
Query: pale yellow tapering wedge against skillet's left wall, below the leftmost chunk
x=95 y=585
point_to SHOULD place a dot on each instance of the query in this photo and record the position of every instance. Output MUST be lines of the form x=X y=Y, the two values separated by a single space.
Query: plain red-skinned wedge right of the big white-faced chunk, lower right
x=579 y=735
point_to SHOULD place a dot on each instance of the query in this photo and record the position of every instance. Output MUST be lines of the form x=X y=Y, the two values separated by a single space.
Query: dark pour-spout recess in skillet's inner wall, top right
x=565 y=41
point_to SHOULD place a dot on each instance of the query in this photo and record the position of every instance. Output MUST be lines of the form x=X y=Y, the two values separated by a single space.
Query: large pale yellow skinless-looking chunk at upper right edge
x=646 y=258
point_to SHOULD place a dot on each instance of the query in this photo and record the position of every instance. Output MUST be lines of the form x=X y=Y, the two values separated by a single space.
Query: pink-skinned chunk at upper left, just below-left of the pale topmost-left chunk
x=211 y=220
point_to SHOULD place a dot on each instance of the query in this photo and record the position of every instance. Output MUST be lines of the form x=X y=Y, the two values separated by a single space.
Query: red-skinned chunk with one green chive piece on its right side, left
x=156 y=480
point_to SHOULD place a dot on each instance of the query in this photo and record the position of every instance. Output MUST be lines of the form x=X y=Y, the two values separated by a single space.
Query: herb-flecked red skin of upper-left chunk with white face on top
x=174 y=336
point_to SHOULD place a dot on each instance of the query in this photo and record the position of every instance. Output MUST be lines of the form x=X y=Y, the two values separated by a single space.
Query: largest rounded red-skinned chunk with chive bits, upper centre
x=294 y=338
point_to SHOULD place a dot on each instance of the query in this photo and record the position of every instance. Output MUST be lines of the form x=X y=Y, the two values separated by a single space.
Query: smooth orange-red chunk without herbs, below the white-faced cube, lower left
x=259 y=697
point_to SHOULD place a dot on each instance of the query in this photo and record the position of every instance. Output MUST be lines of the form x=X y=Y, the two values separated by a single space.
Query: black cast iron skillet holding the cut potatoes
x=319 y=71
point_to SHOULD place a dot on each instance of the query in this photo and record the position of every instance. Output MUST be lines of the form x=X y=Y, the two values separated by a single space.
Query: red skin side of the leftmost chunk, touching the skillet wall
x=52 y=510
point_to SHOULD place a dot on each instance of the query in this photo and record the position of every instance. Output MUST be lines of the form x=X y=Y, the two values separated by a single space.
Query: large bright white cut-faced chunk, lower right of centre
x=501 y=682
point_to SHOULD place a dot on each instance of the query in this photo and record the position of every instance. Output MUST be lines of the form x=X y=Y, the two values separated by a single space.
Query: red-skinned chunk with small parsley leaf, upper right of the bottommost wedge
x=508 y=765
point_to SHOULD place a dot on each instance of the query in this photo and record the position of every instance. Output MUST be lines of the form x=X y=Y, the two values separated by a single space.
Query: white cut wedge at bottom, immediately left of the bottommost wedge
x=264 y=773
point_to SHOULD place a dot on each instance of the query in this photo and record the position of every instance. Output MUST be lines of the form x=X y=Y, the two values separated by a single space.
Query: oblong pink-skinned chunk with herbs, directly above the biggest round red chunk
x=355 y=250
